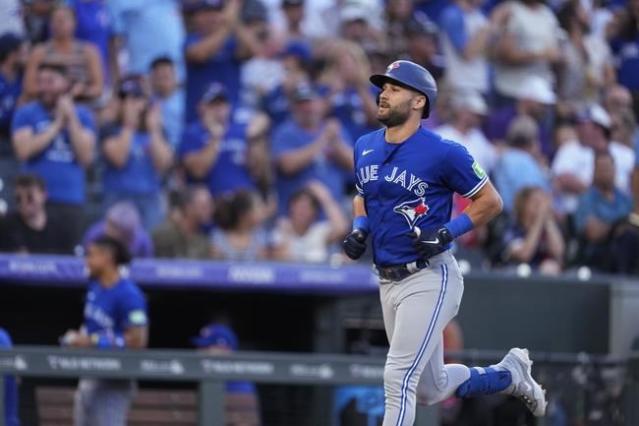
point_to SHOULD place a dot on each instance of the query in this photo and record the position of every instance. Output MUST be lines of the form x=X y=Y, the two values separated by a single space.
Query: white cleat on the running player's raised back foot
x=523 y=385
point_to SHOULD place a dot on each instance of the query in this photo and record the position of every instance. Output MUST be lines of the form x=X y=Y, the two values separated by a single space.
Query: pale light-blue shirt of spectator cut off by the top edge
x=147 y=29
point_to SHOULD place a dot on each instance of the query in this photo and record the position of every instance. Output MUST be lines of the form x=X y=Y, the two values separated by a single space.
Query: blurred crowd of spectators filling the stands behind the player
x=224 y=128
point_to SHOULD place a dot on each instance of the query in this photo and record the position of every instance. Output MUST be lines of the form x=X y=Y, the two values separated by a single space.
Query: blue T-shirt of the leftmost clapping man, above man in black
x=57 y=163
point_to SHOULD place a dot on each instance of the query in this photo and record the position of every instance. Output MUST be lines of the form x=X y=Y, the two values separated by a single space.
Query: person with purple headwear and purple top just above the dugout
x=122 y=222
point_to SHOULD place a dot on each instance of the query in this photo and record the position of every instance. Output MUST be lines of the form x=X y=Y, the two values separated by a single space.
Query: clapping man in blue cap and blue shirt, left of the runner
x=215 y=149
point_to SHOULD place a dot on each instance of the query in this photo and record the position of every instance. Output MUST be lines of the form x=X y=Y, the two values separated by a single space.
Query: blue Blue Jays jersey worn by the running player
x=410 y=184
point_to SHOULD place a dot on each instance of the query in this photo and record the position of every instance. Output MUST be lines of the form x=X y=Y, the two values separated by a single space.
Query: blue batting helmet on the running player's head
x=411 y=75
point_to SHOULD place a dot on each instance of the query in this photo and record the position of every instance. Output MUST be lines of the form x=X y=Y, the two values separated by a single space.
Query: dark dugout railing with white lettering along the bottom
x=275 y=368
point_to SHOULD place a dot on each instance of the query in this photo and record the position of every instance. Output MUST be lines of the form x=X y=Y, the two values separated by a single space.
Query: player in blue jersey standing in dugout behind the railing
x=115 y=317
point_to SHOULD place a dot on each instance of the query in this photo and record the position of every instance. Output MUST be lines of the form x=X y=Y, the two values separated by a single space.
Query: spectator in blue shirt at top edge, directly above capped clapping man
x=214 y=49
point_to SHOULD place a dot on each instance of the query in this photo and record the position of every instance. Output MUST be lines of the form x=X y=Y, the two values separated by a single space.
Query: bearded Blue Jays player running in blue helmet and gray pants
x=406 y=177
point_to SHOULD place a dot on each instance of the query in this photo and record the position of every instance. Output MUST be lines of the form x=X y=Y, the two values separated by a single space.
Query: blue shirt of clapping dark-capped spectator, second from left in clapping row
x=138 y=175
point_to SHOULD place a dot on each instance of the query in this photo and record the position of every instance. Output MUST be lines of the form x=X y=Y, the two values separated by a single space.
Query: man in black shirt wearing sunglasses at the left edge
x=30 y=228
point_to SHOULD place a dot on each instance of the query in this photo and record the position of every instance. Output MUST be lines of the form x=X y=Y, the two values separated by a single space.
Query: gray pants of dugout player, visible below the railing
x=102 y=402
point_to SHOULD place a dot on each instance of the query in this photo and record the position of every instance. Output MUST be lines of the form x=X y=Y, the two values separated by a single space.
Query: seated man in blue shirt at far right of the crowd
x=600 y=208
